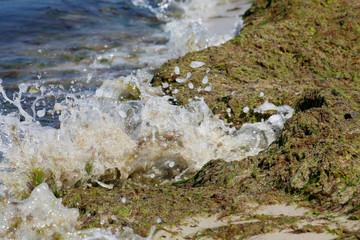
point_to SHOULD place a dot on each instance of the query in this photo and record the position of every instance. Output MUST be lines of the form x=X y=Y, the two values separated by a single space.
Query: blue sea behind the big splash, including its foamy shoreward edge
x=73 y=46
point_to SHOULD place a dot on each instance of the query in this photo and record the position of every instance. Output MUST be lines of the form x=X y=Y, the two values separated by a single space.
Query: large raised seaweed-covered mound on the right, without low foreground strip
x=301 y=53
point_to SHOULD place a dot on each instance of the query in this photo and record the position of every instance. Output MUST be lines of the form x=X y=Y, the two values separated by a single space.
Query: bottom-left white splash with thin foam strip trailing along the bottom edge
x=42 y=216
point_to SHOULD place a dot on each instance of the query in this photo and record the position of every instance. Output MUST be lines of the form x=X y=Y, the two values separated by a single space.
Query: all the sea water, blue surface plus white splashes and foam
x=77 y=103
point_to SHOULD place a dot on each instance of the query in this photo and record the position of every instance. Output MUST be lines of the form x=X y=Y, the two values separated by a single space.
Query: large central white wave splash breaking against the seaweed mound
x=128 y=128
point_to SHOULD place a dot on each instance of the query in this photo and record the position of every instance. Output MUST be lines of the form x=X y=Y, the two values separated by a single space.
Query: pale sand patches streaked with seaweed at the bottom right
x=191 y=227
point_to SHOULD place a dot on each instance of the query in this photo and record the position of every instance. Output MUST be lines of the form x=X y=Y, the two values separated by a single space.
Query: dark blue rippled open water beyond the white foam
x=44 y=33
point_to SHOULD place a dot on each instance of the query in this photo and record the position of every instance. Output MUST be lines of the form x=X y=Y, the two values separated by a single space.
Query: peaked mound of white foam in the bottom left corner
x=38 y=217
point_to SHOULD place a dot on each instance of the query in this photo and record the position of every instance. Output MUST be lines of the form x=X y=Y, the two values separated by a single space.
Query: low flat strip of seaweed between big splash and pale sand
x=143 y=207
